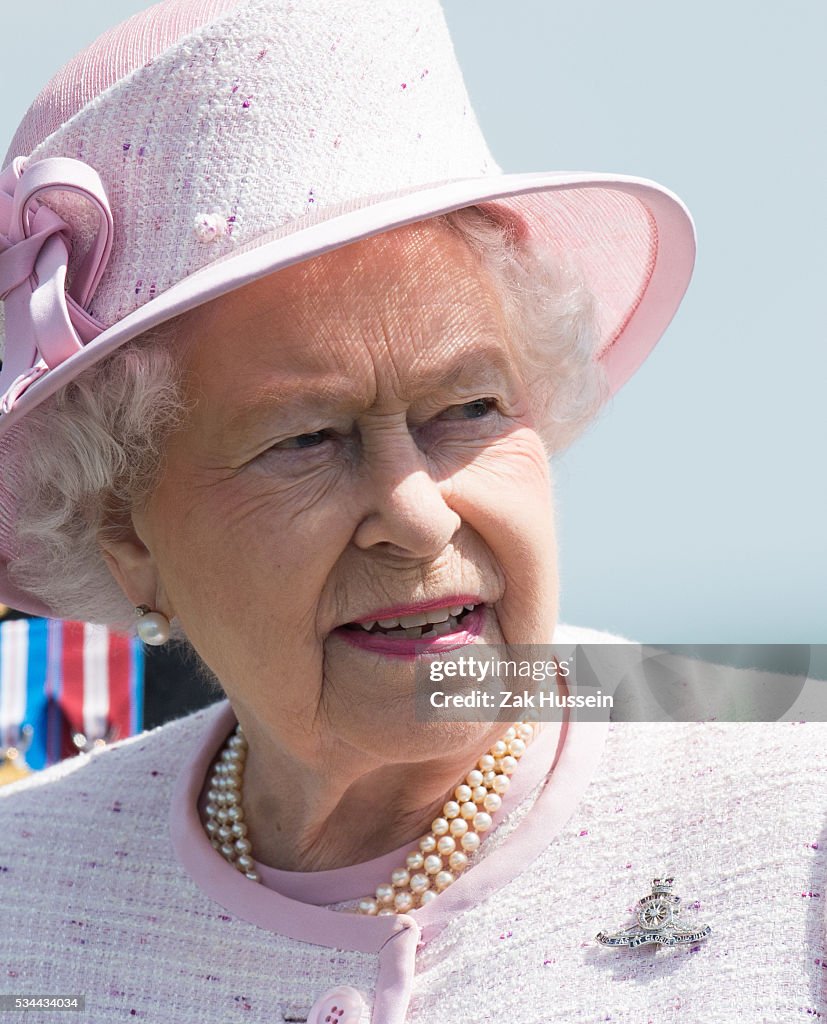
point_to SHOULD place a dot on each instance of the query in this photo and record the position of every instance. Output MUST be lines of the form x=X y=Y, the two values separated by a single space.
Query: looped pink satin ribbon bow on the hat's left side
x=46 y=324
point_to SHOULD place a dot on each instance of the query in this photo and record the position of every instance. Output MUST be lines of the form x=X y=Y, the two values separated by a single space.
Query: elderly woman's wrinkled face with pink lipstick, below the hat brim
x=362 y=449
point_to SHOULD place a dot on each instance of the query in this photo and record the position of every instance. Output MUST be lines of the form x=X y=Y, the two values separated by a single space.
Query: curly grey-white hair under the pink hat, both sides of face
x=97 y=446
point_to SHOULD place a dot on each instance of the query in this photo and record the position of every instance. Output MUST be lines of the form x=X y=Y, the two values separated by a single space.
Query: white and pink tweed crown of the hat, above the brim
x=265 y=114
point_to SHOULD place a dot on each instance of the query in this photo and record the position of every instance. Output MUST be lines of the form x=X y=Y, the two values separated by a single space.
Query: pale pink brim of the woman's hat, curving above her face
x=633 y=241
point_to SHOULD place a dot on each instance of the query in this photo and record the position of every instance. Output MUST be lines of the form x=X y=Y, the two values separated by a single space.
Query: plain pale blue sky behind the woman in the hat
x=693 y=513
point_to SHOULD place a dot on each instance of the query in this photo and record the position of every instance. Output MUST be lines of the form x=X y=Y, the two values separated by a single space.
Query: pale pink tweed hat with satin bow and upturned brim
x=205 y=144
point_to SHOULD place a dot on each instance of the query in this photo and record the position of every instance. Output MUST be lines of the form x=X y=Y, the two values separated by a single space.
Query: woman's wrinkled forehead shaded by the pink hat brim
x=404 y=305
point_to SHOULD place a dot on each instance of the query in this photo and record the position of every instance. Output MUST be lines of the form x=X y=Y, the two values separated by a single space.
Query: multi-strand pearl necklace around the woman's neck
x=443 y=855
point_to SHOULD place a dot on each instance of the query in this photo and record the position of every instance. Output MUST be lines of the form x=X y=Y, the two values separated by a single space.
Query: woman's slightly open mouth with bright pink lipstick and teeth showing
x=408 y=630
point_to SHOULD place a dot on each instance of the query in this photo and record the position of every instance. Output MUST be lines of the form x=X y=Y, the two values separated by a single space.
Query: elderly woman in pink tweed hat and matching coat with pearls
x=286 y=358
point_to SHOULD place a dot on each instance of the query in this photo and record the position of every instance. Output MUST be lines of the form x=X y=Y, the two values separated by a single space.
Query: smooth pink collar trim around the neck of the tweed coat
x=291 y=908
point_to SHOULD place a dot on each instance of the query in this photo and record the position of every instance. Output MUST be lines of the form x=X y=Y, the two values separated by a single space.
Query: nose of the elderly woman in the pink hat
x=407 y=507
